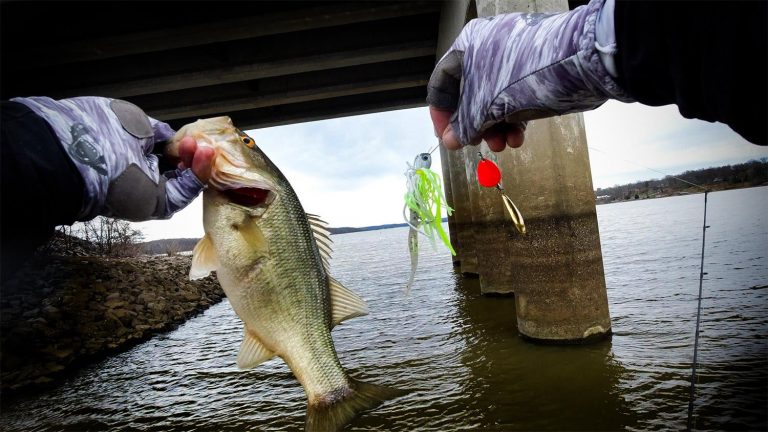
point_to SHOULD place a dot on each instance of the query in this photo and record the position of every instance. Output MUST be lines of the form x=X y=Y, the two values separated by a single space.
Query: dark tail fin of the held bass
x=338 y=408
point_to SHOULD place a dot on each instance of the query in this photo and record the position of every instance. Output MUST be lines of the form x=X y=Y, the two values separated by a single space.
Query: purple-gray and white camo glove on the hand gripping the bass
x=110 y=142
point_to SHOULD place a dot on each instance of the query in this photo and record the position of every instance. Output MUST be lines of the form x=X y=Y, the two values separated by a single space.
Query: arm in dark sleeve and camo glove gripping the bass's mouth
x=74 y=159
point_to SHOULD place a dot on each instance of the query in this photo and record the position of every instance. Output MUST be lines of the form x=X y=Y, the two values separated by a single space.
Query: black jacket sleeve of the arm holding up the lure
x=707 y=57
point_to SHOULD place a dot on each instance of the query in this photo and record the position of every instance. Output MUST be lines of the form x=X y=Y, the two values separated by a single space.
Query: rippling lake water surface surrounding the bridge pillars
x=460 y=353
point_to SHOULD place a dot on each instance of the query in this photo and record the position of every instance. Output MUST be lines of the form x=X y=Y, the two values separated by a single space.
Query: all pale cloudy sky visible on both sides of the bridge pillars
x=350 y=170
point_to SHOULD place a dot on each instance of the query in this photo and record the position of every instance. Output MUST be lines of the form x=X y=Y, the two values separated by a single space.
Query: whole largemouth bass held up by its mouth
x=271 y=258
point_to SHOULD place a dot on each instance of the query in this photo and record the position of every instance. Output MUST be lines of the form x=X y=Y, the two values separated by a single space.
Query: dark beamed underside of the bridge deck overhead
x=261 y=63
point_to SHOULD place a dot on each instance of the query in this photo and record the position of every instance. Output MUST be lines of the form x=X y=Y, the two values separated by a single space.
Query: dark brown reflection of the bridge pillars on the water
x=514 y=385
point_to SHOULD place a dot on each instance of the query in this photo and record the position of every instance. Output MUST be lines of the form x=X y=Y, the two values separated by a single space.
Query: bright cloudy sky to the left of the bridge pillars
x=347 y=170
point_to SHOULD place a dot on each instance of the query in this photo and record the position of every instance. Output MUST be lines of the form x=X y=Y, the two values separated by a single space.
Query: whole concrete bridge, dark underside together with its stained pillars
x=272 y=63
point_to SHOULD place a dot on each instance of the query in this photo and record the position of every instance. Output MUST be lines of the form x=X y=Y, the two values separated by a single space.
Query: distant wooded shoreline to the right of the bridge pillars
x=748 y=174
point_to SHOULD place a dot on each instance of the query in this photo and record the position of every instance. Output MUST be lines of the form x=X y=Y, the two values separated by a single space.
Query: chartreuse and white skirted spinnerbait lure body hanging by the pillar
x=424 y=199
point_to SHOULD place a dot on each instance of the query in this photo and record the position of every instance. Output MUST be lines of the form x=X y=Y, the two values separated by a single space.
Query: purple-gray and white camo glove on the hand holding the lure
x=522 y=66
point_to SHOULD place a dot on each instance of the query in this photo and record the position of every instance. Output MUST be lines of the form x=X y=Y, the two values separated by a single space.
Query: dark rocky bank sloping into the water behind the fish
x=60 y=312
